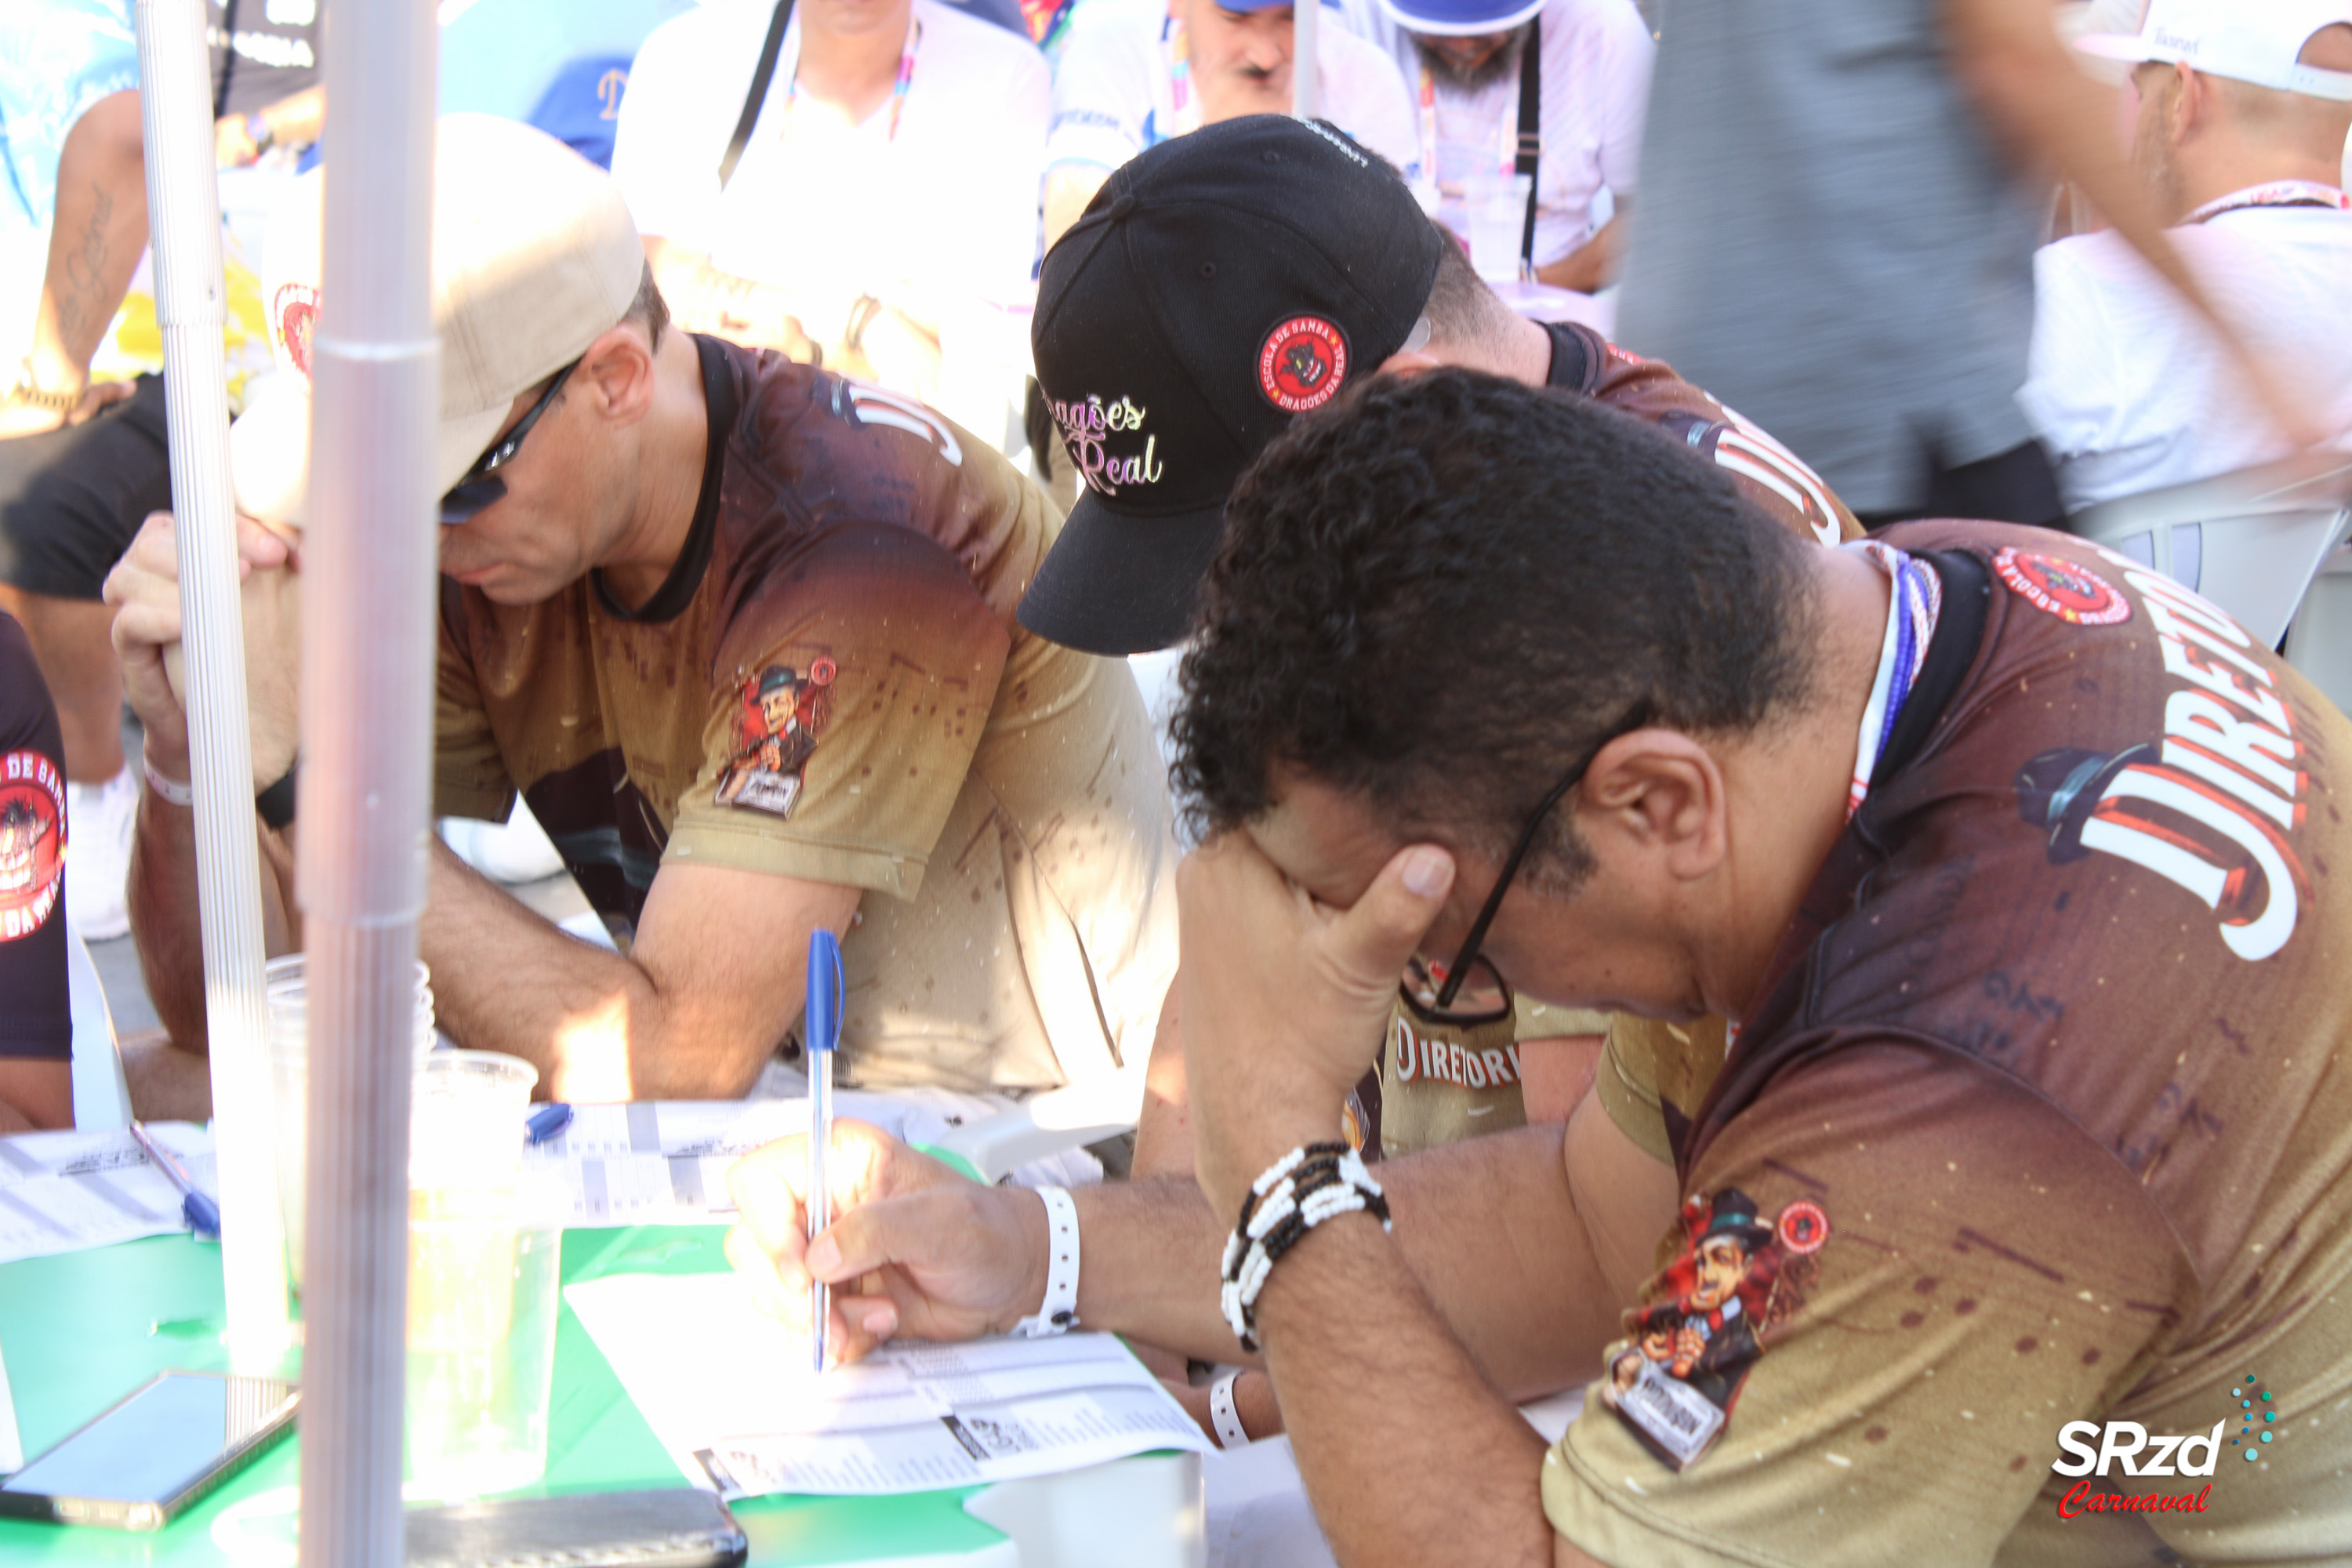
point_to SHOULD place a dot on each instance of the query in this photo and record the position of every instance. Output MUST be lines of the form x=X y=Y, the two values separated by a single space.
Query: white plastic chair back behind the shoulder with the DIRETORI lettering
x=2250 y=542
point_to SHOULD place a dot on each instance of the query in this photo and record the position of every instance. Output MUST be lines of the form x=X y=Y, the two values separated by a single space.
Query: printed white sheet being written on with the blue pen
x=730 y=1395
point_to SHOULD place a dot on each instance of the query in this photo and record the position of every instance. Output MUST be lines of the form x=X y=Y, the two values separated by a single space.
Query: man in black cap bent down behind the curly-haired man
x=1217 y=288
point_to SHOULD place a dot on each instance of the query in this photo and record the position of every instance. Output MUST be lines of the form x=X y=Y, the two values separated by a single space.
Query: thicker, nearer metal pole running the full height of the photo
x=368 y=751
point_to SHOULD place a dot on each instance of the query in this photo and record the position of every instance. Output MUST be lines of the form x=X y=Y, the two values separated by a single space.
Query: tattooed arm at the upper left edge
x=93 y=250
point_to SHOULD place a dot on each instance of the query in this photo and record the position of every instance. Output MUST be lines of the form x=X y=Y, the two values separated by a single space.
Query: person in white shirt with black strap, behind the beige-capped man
x=888 y=182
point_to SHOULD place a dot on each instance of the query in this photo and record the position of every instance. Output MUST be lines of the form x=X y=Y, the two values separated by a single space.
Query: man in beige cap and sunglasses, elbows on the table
x=742 y=634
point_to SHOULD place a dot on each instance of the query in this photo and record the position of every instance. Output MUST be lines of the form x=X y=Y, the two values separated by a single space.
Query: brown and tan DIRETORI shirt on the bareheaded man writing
x=2040 y=1118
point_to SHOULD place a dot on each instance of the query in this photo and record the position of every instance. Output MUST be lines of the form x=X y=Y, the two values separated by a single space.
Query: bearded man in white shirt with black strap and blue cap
x=1464 y=65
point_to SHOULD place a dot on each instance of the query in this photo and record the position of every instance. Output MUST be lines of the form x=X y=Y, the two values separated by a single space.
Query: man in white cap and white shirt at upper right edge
x=2243 y=116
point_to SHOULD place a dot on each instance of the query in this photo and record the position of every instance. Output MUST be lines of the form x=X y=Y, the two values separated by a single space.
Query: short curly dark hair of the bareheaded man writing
x=1443 y=591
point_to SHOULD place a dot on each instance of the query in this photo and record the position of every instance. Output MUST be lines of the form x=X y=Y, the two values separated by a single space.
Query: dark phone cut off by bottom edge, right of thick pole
x=655 y=1529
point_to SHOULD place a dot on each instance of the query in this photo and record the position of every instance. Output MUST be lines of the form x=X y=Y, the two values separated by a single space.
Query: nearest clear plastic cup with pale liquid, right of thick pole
x=483 y=1282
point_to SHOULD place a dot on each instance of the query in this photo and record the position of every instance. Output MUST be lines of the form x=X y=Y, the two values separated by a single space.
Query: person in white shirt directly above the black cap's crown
x=1140 y=72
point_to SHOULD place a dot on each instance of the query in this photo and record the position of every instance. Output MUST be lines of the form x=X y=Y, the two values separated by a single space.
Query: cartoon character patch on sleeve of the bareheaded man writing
x=1737 y=1280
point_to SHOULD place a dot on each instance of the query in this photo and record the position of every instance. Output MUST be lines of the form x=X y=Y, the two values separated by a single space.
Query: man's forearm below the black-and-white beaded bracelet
x=1375 y=1388
